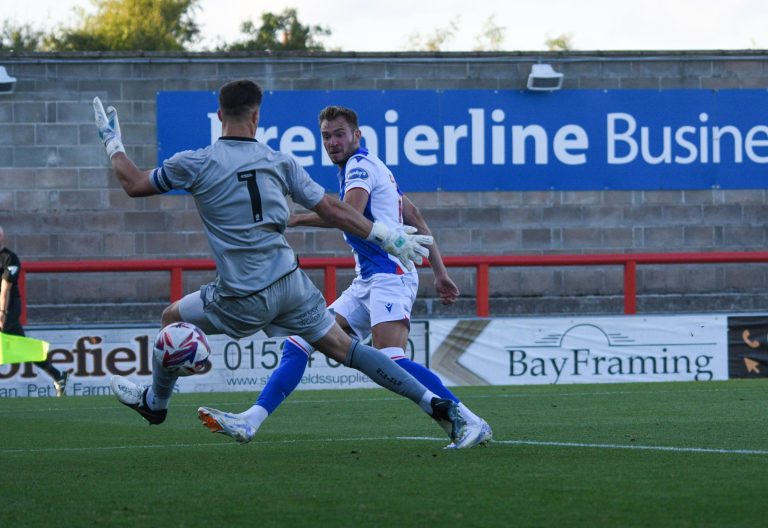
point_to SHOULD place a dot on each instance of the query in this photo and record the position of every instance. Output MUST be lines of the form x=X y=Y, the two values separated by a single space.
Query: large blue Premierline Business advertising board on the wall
x=482 y=140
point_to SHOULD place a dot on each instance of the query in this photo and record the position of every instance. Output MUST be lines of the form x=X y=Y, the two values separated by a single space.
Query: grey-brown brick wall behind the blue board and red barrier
x=58 y=199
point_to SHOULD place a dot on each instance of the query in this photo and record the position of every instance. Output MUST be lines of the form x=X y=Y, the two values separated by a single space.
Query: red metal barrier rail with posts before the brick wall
x=481 y=263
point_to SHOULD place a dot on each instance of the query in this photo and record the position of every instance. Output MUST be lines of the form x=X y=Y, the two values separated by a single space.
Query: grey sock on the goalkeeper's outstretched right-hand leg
x=382 y=370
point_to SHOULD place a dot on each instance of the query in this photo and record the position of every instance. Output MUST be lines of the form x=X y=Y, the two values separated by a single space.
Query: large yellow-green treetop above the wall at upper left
x=130 y=25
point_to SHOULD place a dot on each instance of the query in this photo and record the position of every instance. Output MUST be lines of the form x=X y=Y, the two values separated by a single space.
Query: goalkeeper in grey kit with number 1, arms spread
x=240 y=186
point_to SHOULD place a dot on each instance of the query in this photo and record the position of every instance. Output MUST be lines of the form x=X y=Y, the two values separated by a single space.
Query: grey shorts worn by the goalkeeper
x=291 y=305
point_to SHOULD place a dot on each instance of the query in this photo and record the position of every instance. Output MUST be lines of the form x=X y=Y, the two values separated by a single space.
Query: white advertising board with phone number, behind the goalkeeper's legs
x=94 y=355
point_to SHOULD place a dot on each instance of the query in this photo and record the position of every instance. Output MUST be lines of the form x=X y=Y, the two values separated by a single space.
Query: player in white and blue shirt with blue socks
x=378 y=303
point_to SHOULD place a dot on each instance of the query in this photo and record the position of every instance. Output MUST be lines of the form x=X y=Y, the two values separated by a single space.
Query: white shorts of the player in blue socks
x=381 y=298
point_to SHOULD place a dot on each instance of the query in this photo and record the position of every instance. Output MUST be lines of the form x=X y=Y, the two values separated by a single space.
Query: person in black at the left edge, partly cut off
x=10 y=310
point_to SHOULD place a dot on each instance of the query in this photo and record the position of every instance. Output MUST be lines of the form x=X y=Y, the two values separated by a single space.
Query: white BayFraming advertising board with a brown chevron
x=526 y=351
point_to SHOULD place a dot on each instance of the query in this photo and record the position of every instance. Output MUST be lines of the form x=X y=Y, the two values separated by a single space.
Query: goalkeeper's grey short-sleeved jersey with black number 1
x=240 y=189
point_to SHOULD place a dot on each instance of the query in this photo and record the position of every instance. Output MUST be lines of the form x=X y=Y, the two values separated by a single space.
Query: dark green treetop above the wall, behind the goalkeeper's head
x=279 y=32
